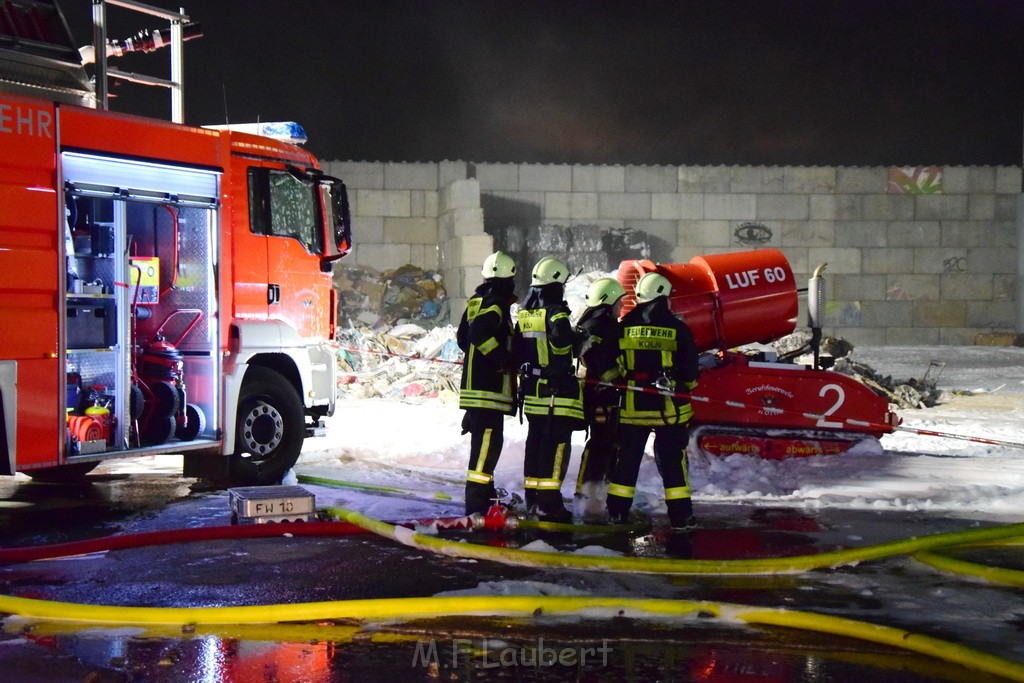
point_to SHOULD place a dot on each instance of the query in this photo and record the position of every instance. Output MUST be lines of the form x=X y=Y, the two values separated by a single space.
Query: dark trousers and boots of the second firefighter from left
x=545 y=462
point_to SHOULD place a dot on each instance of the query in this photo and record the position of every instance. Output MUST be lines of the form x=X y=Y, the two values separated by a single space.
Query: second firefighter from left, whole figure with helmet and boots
x=552 y=397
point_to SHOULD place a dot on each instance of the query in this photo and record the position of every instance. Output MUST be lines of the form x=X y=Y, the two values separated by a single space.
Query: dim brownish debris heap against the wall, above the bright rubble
x=375 y=300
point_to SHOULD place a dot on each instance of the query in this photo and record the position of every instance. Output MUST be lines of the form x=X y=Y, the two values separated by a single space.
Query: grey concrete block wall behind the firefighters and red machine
x=904 y=270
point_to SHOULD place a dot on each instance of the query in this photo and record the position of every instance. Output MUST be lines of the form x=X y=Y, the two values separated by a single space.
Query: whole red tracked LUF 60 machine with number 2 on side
x=752 y=403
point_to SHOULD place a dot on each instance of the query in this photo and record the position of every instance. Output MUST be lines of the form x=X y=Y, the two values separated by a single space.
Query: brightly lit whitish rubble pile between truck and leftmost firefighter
x=404 y=362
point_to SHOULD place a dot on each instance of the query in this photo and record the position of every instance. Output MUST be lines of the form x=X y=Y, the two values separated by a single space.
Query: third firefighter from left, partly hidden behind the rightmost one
x=600 y=331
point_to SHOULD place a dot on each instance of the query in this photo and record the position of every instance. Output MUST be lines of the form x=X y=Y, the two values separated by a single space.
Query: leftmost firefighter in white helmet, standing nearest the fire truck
x=488 y=394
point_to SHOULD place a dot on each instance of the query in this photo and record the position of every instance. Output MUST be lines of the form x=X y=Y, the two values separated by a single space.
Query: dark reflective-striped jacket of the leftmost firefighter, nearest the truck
x=486 y=336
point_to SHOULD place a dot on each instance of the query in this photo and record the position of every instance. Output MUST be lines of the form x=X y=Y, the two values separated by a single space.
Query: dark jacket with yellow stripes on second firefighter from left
x=544 y=355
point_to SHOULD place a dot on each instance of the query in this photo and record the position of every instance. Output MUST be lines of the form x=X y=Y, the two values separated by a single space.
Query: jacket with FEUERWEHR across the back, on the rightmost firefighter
x=657 y=353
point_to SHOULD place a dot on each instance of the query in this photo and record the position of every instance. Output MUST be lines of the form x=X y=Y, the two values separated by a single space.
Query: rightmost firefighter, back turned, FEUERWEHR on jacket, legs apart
x=659 y=362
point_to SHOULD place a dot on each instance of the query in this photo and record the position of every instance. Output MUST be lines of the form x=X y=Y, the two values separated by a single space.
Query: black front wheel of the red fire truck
x=270 y=430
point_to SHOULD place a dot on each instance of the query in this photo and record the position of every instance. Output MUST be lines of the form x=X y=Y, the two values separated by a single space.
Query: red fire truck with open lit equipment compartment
x=163 y=288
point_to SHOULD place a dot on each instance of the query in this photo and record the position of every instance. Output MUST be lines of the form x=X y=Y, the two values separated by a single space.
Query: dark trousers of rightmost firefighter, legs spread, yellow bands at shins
x=670 y=456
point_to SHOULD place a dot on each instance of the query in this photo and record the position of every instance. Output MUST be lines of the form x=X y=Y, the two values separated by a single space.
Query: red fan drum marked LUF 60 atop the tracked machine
x=727 y=300
